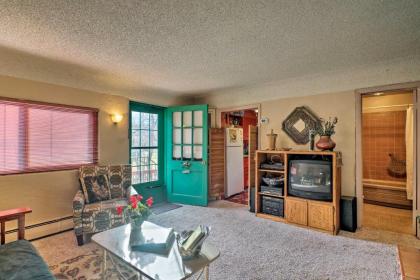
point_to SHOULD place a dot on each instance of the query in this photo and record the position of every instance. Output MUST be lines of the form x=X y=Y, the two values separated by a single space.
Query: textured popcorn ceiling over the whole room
x=192 y=46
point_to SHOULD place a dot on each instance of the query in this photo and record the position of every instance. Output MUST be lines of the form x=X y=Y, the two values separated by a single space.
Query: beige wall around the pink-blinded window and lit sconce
x=50 y=194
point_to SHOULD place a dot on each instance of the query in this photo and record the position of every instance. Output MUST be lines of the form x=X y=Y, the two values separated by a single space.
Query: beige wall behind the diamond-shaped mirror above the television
x=340 y=105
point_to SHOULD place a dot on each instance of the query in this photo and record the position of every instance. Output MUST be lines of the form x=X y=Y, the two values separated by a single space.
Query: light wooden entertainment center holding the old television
x=310 y=213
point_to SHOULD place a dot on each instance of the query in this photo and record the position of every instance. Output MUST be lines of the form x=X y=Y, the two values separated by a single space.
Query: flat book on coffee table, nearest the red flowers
x=152 y=238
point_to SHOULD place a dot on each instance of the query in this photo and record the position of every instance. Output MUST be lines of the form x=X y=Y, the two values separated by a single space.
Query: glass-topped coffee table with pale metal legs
x=115 y=245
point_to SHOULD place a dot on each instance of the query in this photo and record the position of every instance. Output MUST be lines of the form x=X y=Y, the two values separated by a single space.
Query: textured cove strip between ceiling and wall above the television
x=364 y=76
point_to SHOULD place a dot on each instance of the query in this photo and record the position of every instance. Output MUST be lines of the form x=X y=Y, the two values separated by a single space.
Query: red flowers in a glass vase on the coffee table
x=136 y=211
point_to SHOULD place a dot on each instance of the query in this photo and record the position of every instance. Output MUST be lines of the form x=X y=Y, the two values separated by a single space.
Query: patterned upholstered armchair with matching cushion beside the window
x=103 y=188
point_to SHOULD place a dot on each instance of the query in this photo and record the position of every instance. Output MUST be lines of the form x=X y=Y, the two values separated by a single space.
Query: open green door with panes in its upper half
x=186 y=154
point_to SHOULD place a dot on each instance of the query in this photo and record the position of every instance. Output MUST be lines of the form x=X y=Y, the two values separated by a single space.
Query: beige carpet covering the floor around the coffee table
x=281 y=251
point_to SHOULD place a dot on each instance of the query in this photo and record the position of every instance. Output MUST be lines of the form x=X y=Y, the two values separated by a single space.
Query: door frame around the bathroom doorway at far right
x=415 y=88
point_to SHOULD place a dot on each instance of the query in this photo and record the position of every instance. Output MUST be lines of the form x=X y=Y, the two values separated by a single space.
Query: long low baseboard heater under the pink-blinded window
x=44 y=229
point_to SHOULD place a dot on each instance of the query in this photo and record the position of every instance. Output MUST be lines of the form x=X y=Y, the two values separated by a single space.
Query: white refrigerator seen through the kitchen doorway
x=234 y=161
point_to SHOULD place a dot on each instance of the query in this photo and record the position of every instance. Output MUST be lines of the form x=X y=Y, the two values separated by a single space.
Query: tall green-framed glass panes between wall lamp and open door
x=147 y=150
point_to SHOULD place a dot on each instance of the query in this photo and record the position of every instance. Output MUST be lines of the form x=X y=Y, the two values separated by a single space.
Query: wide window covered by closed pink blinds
x=36 y=137
